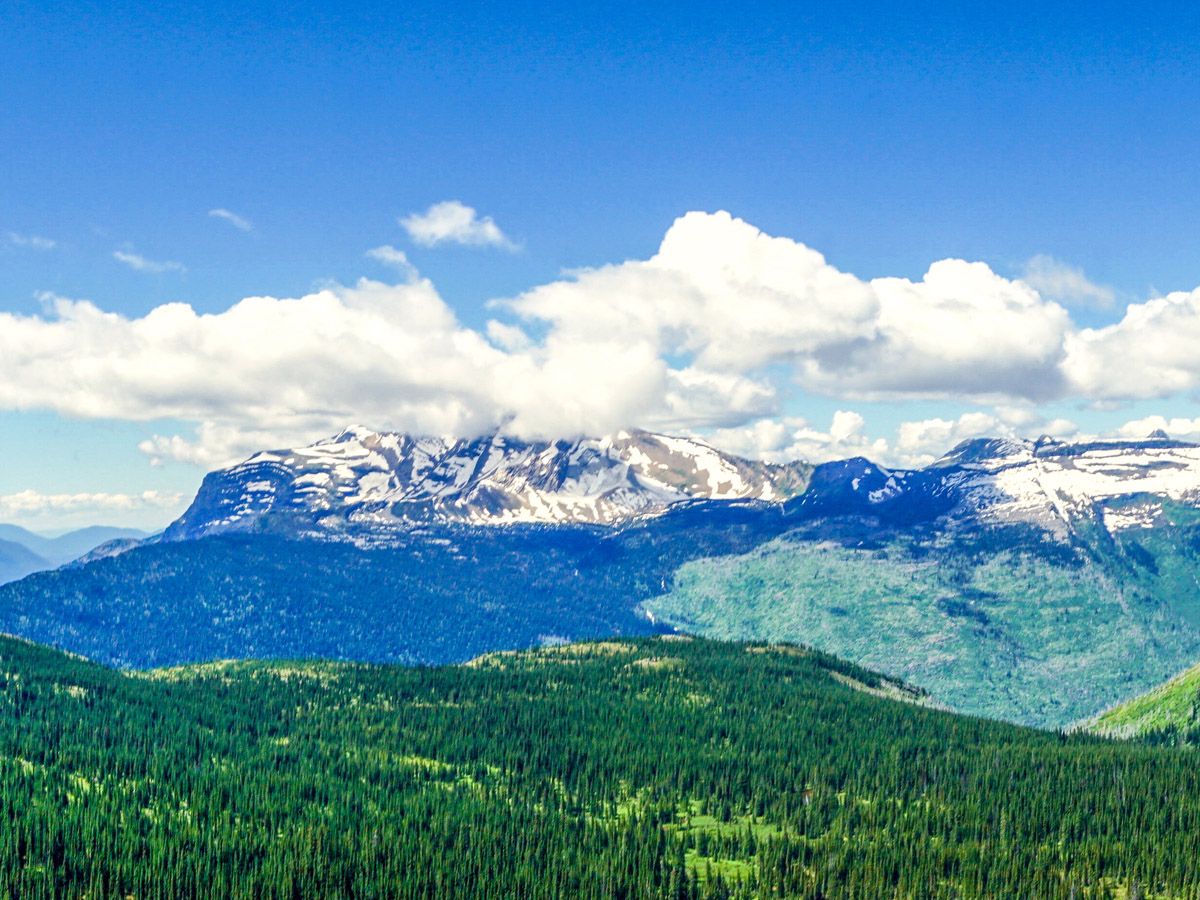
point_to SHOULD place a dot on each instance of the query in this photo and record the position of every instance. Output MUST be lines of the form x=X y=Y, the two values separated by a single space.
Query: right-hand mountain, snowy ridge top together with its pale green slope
x=1033 y=581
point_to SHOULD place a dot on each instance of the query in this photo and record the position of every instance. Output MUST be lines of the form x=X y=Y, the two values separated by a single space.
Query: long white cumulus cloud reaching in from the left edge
x=313 y=359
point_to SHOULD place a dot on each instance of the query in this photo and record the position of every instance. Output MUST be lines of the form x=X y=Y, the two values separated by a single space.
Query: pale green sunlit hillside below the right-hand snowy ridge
x=999 y=622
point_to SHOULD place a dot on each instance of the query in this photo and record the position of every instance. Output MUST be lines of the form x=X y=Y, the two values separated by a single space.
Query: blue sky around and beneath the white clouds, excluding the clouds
x=885 y=137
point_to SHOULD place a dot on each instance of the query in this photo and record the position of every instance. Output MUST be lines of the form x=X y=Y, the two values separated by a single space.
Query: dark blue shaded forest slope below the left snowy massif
x=441 y=597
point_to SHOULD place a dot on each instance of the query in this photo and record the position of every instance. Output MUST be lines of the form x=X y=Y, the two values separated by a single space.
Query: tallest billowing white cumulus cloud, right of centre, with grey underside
x=739 y=301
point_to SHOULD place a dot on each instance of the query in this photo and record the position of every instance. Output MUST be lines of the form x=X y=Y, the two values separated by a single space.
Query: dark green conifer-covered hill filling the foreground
x=650 y=769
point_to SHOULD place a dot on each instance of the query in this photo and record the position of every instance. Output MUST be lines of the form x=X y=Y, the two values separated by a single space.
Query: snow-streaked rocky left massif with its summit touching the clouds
x=368 y=485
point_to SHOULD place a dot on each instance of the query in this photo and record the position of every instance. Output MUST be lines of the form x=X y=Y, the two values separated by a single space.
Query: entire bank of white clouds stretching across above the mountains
x=710 y=335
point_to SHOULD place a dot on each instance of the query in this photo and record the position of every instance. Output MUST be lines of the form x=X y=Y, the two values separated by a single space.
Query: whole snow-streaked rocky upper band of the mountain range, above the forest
x=369 y=487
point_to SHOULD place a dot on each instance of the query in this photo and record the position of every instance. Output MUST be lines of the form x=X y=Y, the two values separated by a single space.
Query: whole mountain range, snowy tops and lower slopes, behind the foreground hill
x=1027 y=580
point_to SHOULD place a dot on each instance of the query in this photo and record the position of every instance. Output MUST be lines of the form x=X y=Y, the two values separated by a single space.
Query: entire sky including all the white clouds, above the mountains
x=796 y=230
